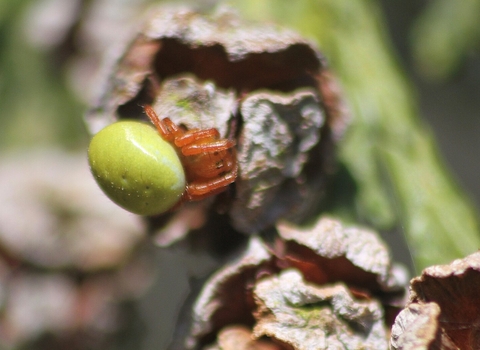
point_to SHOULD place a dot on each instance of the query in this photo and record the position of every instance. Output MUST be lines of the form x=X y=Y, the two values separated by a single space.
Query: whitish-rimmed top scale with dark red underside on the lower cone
x=355 y=256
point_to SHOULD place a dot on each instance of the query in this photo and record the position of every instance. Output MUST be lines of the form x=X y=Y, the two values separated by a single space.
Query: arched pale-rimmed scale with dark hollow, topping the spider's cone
x=219 y=48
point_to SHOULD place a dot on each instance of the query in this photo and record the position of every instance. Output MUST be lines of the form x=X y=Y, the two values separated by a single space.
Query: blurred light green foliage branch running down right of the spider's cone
x=398 y=180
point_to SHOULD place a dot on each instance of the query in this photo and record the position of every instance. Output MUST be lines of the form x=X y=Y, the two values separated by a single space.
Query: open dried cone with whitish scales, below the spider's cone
x=359 y=291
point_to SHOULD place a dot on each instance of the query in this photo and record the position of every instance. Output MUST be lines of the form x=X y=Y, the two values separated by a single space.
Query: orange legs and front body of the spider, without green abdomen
x=209 y=162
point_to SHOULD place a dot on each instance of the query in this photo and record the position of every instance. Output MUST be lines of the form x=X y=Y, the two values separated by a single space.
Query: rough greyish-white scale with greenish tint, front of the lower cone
x=313 y=317
